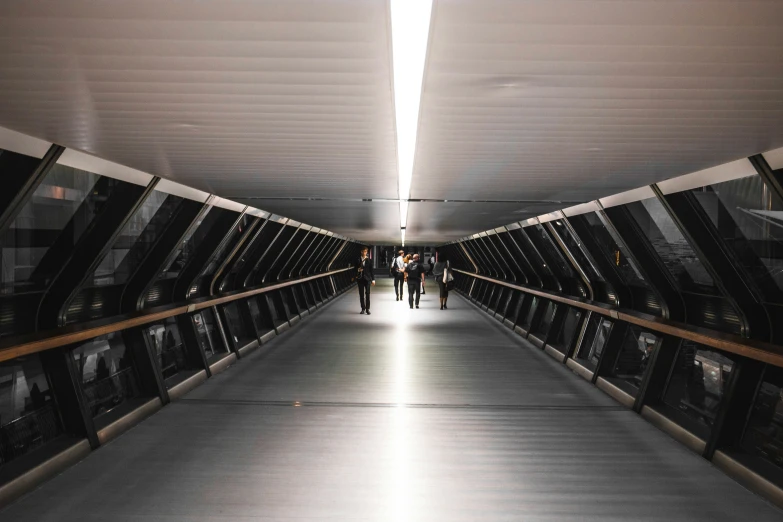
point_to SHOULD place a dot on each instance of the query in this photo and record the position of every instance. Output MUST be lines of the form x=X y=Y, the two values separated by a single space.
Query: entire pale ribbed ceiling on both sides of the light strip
x=528 y=106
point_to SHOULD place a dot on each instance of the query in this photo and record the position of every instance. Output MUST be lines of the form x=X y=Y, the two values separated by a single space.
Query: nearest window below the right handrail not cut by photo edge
x=698 y=382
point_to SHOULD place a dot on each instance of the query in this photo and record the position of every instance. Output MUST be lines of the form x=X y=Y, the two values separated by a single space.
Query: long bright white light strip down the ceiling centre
x=410 y=24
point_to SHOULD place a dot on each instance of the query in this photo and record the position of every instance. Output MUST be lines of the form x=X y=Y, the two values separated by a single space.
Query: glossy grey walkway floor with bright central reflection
x=405 y=415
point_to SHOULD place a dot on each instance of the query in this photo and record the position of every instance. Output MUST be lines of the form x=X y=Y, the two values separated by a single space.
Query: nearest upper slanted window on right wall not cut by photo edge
x=677 y=254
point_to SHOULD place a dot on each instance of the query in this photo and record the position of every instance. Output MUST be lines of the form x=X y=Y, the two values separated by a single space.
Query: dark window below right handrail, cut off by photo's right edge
x=764 y=434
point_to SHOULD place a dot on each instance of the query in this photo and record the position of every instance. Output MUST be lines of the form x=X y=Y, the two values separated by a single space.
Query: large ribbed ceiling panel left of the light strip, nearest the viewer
x=286 y=98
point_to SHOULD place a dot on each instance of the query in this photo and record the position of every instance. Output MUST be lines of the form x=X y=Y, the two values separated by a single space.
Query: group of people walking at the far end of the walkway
x=406 y=269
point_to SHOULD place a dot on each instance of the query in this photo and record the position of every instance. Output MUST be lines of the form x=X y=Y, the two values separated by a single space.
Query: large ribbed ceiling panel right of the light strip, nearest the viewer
x=573 y=100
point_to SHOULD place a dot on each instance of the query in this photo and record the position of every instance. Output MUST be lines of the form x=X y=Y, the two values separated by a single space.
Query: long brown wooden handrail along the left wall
x=64 y=336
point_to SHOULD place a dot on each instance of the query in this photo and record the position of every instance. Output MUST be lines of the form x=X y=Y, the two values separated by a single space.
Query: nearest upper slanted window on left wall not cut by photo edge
x=136 y=238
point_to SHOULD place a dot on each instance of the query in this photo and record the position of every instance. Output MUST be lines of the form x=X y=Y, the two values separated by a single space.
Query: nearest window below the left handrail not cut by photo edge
x=108 y=378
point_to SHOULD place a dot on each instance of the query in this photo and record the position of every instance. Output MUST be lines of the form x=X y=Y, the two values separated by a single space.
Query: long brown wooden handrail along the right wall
x=750 y=348
